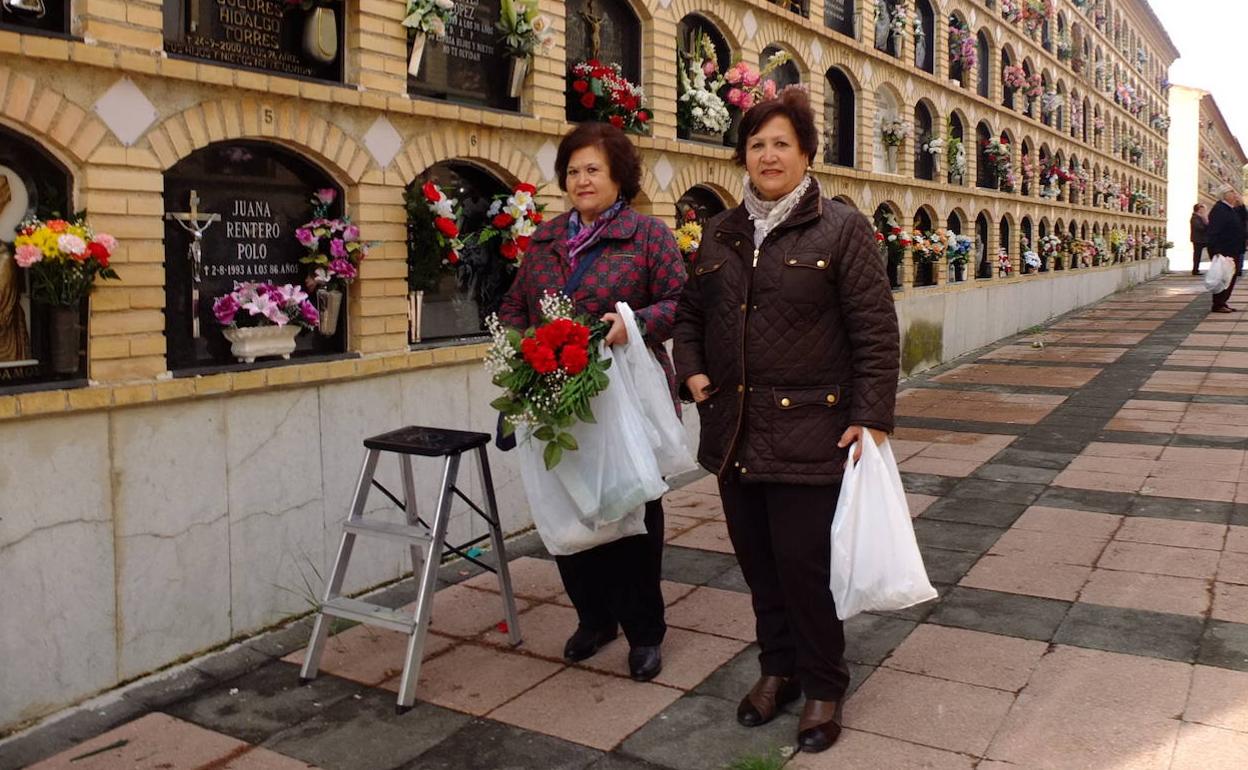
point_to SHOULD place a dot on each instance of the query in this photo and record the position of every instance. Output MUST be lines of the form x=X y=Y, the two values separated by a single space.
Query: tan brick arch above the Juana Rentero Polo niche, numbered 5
x=290 y=125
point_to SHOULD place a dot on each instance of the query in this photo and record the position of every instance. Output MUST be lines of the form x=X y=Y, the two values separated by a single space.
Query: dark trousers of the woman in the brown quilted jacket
x=782 y=537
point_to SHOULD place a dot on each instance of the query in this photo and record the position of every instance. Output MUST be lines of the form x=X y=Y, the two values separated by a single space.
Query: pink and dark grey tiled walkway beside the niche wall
x=1083 y=505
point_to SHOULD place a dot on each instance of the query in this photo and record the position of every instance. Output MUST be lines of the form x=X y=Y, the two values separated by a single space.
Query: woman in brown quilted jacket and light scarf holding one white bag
x=787 y=339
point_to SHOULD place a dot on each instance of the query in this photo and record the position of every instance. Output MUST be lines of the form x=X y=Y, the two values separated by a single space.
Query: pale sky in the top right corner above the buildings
x=1210 y=38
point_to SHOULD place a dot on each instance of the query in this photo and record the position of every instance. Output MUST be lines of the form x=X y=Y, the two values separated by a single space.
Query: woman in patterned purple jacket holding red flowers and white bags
x=635 y=259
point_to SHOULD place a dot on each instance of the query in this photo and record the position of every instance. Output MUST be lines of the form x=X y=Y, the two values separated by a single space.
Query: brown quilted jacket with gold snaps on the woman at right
x=799 y=340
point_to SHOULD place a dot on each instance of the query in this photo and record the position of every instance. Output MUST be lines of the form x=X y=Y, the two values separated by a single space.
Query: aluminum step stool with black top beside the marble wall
x=426 y=541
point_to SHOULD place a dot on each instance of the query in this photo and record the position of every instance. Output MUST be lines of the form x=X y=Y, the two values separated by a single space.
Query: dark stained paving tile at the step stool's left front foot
x=265 y=702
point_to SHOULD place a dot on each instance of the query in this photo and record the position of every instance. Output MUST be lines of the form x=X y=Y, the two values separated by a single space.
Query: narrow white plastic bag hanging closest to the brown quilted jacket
x=653 y=396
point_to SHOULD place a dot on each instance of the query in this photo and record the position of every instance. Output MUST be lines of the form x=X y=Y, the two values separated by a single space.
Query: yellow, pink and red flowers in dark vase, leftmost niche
x=64 y=258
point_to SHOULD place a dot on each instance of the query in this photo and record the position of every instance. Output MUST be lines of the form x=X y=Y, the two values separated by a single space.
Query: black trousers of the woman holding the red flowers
x=618 y=583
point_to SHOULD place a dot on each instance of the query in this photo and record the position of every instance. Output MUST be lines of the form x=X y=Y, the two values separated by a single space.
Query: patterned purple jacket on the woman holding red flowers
x=641 y=266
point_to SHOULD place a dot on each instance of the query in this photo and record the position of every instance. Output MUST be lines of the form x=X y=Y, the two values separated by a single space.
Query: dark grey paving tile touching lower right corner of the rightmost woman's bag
x=1000 y=613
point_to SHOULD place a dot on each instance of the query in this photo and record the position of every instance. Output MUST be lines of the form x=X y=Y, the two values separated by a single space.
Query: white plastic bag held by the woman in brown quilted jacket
x=877 y=565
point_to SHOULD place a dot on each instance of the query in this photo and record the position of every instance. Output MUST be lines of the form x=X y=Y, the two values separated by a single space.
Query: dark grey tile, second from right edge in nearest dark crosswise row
x=1131 y=631
